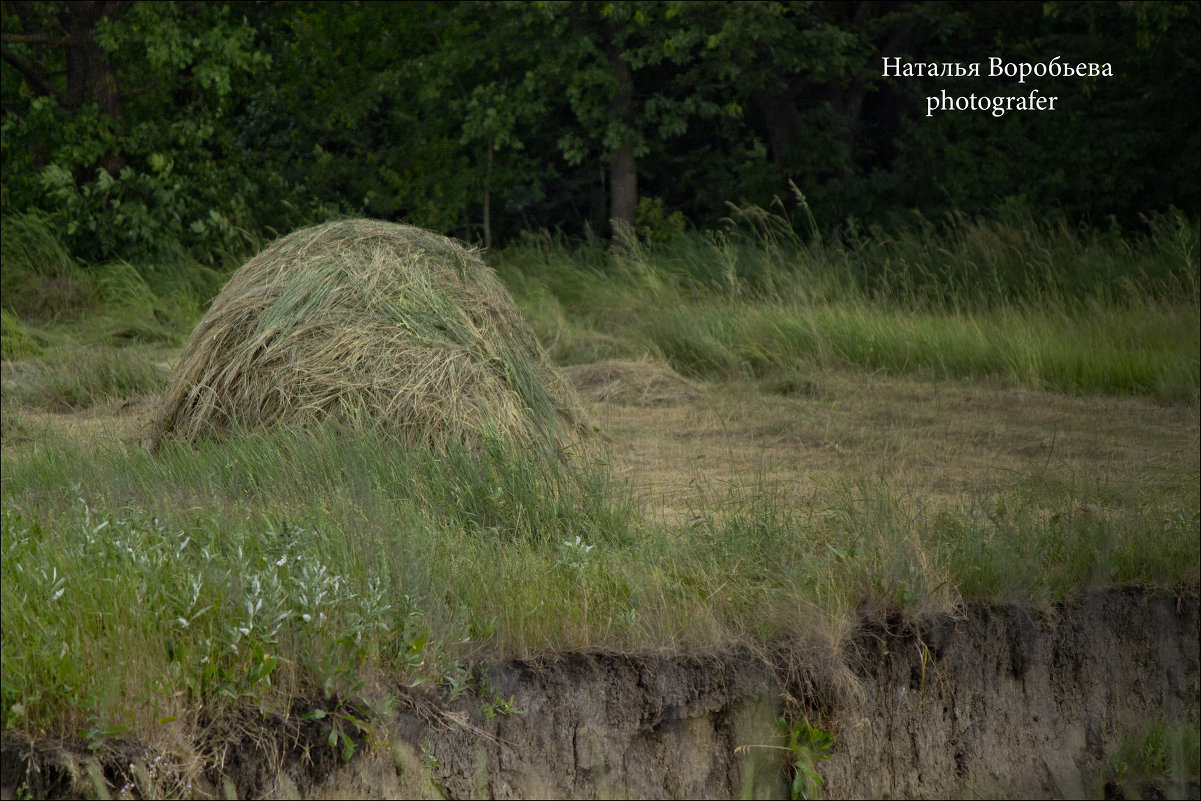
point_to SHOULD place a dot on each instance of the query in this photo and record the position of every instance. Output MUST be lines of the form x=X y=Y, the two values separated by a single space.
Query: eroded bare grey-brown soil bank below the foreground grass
x=994 y=702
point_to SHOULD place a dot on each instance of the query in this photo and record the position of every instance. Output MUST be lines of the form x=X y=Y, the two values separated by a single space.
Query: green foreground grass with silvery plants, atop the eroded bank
x=144 y=588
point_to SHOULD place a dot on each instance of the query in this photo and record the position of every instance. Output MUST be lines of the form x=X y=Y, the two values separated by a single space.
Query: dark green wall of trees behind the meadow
x=142 y=127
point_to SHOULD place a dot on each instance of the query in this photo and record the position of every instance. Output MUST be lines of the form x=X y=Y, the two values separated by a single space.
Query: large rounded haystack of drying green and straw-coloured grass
x=374 y=324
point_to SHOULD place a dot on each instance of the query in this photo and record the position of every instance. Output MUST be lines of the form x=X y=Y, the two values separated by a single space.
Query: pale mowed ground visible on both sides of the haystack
x=680 y=444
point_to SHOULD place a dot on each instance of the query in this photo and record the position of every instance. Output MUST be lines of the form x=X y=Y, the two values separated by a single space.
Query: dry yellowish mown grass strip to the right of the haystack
x=934 y=441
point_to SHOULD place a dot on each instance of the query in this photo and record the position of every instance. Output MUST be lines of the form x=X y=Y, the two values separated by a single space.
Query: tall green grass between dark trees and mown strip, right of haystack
x=1033 y=304
